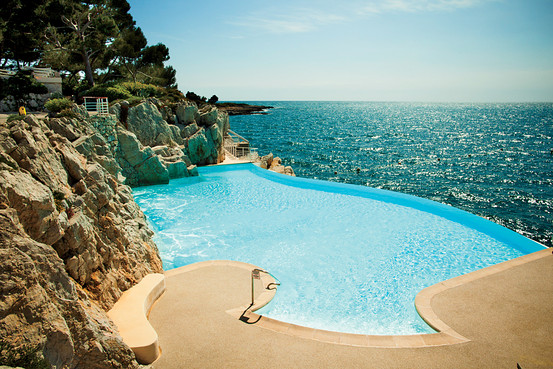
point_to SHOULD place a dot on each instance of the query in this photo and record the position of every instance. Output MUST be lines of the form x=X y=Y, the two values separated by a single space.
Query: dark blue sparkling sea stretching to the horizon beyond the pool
x=492 y=160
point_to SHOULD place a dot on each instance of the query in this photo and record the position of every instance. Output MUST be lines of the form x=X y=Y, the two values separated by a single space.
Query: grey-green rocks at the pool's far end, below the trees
x=181 y=136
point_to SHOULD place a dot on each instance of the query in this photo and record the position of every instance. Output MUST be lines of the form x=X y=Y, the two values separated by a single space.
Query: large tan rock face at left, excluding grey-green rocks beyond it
x=71 y=240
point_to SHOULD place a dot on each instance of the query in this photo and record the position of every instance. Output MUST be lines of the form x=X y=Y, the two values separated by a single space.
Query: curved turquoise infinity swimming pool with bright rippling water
x=350 y=258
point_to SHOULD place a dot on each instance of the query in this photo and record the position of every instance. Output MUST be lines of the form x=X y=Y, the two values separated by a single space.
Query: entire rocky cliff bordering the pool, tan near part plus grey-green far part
x=72 y=239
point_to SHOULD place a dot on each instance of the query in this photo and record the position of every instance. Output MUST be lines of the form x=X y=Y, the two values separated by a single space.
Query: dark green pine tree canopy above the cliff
x=97 y=39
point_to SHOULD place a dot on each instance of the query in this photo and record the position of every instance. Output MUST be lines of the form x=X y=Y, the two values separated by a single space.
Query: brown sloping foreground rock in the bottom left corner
x=43 y=309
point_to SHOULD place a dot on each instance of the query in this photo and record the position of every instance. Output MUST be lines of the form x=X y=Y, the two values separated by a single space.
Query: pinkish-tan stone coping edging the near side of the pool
x=445 y=335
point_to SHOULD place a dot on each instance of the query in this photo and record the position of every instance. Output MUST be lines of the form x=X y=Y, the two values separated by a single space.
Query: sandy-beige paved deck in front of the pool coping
x=507 y=316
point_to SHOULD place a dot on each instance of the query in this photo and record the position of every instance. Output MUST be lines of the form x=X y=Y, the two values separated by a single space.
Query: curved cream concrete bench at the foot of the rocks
x=130 y=315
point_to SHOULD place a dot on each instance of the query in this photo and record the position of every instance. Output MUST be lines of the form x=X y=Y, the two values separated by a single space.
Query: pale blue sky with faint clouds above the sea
x=379 y=50
